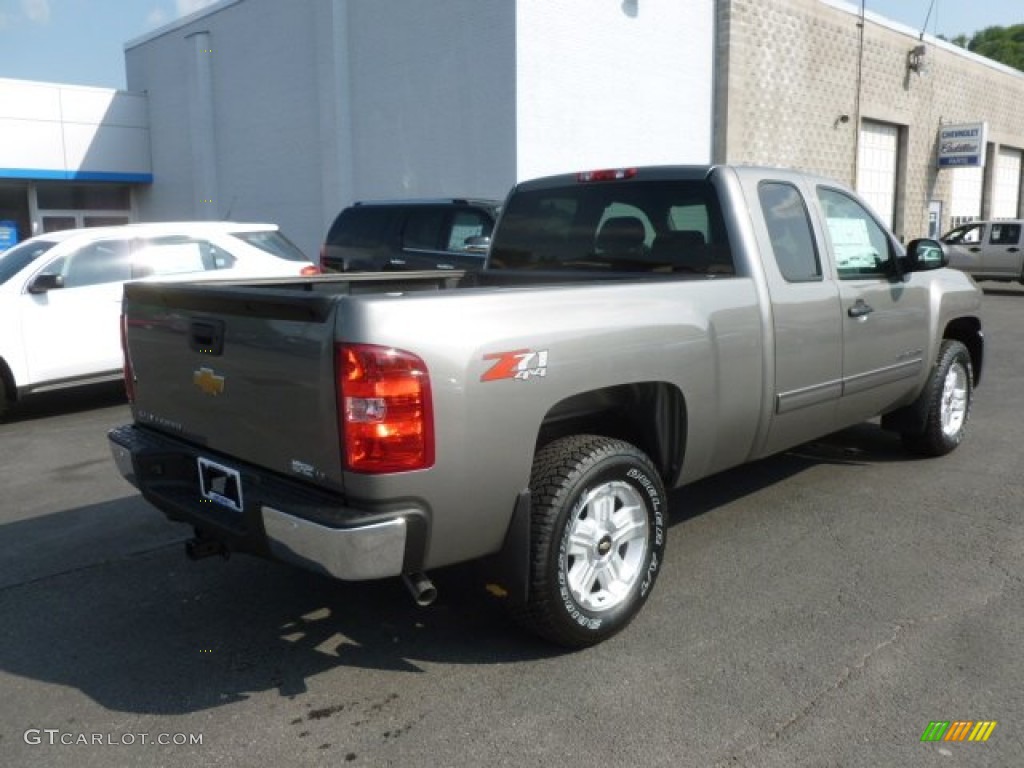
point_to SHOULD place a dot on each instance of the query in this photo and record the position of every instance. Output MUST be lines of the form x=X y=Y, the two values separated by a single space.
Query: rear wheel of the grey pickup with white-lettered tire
x=599 y=531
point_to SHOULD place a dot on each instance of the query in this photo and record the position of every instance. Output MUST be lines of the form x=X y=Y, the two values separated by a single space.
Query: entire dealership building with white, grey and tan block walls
x=259 y=110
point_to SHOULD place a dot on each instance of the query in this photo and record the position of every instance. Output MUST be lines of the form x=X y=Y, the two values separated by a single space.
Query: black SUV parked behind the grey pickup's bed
x=410 y=235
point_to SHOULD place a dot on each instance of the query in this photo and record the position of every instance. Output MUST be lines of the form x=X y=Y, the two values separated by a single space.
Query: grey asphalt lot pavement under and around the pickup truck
x=819 y=609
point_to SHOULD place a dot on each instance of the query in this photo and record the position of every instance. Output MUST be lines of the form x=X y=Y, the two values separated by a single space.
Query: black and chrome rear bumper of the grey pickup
x=281 y=520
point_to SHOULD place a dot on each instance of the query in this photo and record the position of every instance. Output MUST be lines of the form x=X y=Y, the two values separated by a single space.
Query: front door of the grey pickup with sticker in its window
x=885 y=319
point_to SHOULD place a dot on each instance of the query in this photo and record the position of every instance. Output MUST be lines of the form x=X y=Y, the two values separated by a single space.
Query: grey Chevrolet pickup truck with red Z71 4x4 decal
x=635 y=330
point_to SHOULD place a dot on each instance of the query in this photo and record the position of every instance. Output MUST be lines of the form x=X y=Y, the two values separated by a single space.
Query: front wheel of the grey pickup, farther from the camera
x=950 y=392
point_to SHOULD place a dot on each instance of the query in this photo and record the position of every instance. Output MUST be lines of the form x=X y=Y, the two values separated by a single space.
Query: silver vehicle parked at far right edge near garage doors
x=989 y=250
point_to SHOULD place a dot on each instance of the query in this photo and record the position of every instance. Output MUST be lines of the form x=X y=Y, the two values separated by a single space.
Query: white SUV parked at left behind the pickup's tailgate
x=61 y=293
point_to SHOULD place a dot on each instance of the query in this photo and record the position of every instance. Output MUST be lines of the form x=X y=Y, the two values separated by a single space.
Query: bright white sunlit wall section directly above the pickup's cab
x=611 y=83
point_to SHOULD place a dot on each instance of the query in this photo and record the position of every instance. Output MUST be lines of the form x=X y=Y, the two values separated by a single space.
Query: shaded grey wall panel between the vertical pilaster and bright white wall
x=434 y=98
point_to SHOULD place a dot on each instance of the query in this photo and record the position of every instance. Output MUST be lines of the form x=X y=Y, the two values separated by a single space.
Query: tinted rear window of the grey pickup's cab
x=657 y=226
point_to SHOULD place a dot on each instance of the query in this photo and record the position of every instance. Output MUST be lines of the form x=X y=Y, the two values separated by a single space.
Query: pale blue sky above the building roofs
x=81 y=42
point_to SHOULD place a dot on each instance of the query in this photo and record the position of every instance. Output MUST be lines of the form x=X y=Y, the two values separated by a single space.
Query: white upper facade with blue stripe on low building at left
x=54 y=132
